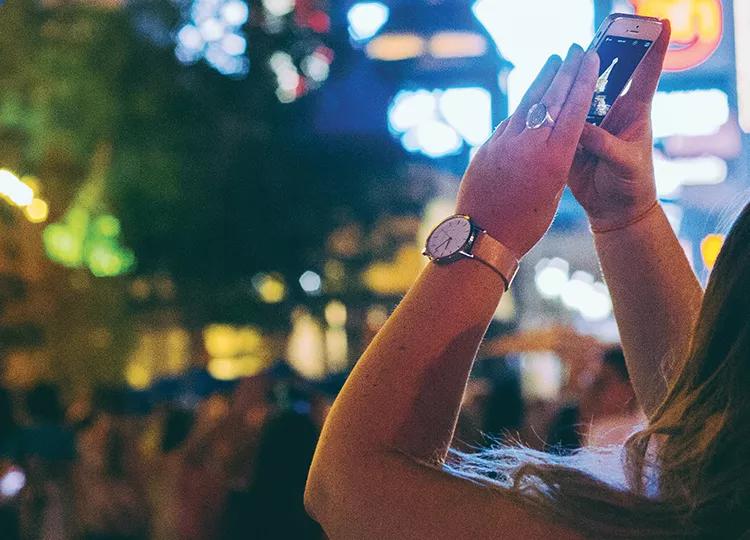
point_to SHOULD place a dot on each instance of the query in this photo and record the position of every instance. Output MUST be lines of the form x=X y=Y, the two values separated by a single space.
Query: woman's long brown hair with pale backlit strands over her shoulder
x=688 y=473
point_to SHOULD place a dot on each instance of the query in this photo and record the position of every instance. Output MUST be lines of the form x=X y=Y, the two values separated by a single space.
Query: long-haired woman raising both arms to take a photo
x=382 y=468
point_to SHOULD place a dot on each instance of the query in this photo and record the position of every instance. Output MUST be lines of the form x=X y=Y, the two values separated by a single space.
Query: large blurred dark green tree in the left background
x=212 y=178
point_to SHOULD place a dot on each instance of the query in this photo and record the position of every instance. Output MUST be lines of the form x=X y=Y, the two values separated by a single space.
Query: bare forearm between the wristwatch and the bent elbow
x=405 y=392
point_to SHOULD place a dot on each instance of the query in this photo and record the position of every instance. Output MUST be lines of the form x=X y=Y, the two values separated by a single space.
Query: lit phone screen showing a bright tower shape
x=619 y=56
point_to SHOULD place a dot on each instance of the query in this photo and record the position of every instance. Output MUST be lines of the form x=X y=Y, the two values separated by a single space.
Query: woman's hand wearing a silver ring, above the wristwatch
x=513 y=186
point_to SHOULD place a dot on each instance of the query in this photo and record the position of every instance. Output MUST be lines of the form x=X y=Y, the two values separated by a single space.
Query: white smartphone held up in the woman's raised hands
x=622 y=42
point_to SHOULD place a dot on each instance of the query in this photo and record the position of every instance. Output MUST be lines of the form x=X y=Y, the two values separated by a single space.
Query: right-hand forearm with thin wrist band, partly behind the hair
x=656 y=298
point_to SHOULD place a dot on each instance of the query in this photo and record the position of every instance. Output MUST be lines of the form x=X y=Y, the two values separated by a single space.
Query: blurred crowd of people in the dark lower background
x=198 y=460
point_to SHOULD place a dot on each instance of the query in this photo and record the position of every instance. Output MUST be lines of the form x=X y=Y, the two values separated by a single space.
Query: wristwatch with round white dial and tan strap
x=458 y=237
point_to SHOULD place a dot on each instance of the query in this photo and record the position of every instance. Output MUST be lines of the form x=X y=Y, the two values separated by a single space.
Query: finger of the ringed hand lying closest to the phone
x=572 y=118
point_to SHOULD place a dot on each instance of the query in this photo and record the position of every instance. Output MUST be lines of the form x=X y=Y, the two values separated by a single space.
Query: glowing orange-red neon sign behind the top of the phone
x=697 y=28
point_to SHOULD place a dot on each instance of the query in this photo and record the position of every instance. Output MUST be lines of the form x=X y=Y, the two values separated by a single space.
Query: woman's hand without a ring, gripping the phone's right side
x=613 y=175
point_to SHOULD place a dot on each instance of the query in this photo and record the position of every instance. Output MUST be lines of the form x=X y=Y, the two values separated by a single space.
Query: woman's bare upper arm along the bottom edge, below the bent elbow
x=401 y=499
